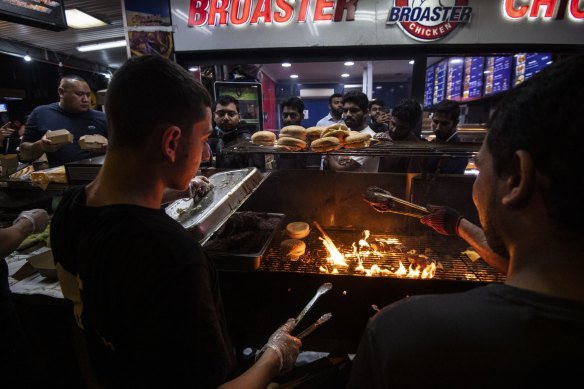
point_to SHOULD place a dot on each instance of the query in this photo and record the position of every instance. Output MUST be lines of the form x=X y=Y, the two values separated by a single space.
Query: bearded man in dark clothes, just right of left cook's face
x=229 y=131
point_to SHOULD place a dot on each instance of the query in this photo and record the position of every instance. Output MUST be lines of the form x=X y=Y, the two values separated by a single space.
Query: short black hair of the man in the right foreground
x=543 y=117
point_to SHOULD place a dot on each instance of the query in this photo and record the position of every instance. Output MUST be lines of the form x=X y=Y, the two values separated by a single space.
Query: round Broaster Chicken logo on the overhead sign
x=429 y=20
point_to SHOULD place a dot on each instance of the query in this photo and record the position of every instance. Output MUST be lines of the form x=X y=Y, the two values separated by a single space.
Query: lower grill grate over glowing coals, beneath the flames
x=445 y=251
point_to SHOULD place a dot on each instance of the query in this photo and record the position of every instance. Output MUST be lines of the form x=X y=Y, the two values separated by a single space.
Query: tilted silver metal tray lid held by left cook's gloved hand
x=231 y=189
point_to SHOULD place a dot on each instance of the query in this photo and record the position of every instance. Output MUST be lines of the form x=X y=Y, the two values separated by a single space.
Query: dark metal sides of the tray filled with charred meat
x=245 y=261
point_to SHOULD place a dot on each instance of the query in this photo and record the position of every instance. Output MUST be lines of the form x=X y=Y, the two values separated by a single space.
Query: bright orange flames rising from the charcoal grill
x=420 y=265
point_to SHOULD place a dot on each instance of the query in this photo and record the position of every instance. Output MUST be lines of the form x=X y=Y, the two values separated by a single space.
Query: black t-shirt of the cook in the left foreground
x=145 y=294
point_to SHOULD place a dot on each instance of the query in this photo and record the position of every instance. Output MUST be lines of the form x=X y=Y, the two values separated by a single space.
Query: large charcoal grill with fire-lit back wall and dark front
x=257 y=302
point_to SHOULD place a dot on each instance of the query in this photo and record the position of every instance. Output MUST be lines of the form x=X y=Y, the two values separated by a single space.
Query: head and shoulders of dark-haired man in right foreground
x=526 y=332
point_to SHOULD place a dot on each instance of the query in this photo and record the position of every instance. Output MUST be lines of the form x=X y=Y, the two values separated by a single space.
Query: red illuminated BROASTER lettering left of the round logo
x=242 y=12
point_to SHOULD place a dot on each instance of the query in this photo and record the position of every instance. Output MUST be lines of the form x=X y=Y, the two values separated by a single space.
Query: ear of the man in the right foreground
x=520 y=182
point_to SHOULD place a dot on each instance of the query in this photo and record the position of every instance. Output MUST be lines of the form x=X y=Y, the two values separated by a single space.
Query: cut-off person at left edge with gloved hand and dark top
x=15 y=358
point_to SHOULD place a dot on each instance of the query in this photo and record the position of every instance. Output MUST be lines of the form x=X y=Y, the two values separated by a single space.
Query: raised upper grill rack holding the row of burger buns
x=402 y=148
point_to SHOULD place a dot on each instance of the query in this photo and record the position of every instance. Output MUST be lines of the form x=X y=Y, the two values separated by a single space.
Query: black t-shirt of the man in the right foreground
x=495 y=336
